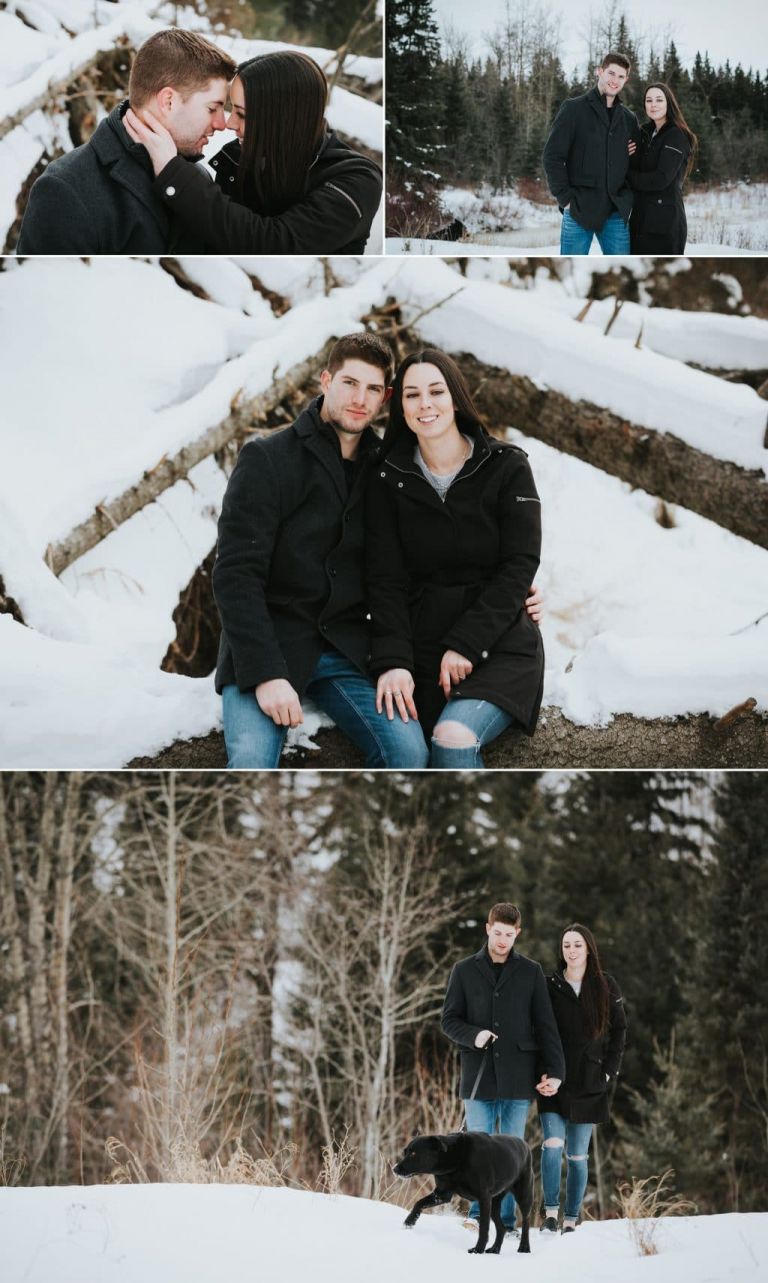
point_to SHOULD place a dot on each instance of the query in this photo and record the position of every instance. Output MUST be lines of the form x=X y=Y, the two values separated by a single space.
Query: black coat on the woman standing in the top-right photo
x=657 y=175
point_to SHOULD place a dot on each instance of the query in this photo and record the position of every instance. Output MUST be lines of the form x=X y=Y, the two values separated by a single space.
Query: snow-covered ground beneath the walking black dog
x=201 y=1234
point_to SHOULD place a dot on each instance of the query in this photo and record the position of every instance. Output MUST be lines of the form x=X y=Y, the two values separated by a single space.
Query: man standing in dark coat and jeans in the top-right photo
x=587 y=161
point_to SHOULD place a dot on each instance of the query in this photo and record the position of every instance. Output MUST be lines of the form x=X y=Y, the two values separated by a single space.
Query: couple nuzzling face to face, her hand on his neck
x=287 y=185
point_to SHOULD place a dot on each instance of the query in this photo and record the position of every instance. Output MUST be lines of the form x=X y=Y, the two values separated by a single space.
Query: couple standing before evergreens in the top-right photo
x=615 y=180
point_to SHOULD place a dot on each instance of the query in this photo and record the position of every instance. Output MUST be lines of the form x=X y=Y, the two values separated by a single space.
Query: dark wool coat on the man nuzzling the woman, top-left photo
x=101 y=200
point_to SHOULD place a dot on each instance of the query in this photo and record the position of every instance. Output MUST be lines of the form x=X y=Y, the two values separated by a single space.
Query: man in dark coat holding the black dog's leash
x=499 y=1013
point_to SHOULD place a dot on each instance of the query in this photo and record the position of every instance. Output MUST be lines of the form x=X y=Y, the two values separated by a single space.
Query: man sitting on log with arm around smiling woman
x=289 y=574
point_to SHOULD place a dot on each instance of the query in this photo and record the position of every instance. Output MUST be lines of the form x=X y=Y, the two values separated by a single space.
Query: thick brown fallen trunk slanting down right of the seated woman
x=734 y=497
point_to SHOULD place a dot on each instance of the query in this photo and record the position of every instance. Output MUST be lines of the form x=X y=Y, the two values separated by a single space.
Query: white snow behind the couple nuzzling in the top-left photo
x=47 y=42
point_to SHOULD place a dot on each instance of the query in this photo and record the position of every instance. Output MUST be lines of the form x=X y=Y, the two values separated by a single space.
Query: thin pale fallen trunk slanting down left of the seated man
x=171 y=469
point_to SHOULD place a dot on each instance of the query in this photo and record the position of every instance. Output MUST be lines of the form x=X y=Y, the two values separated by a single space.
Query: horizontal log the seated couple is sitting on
x=675 y=743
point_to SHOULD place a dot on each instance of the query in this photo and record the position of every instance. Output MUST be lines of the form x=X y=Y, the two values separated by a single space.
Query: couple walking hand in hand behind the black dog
x=519 y=1032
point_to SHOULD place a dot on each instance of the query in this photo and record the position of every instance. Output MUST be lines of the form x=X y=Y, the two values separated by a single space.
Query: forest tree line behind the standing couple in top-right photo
x=456 y=119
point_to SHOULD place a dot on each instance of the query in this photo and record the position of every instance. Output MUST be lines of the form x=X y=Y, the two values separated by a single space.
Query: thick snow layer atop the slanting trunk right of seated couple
x=517 y=332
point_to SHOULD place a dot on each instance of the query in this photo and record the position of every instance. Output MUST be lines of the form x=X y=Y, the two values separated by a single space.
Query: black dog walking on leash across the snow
x=474 y=1166
